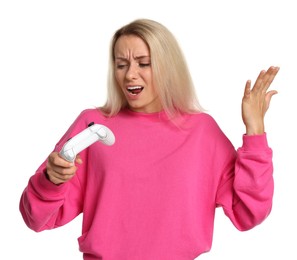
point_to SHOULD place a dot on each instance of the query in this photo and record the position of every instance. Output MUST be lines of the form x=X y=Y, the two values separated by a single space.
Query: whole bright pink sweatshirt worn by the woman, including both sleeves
x=153 y=194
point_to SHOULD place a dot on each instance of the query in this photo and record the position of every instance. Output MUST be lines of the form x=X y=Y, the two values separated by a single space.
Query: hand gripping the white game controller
x=59 y=170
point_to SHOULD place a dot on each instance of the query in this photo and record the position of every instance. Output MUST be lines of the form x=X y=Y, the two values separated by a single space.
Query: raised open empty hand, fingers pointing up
x=255 y=101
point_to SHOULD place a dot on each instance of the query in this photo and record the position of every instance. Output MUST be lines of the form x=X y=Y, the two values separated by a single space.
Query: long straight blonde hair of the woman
x=171 y=76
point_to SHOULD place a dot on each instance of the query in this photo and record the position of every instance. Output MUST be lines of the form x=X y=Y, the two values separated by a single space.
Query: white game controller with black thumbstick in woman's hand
x=93 y=133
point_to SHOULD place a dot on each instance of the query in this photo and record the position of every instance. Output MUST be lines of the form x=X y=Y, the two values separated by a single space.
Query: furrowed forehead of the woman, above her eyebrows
x=128 y=45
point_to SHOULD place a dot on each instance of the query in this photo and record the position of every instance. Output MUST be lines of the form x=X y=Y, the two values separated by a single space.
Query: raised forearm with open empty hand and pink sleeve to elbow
x=246 y=188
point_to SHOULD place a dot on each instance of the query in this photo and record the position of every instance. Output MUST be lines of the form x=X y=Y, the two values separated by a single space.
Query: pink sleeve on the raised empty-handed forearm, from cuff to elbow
x=247 y=196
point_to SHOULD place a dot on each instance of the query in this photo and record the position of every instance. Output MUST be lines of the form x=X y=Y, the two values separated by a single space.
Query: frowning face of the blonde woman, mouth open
x=133 y=74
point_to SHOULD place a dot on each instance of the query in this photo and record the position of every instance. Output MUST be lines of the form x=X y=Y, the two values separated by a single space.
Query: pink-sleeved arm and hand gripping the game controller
x=54 y=194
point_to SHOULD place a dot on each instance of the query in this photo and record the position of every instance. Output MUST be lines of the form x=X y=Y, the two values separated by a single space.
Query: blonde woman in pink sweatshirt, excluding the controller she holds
x=153 y=194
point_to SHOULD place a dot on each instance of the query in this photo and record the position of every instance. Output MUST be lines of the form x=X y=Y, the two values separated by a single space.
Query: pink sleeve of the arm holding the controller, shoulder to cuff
x=44 y=205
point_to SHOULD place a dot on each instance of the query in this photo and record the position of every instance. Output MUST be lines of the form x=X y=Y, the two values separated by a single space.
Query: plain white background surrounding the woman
x=53 y=64
